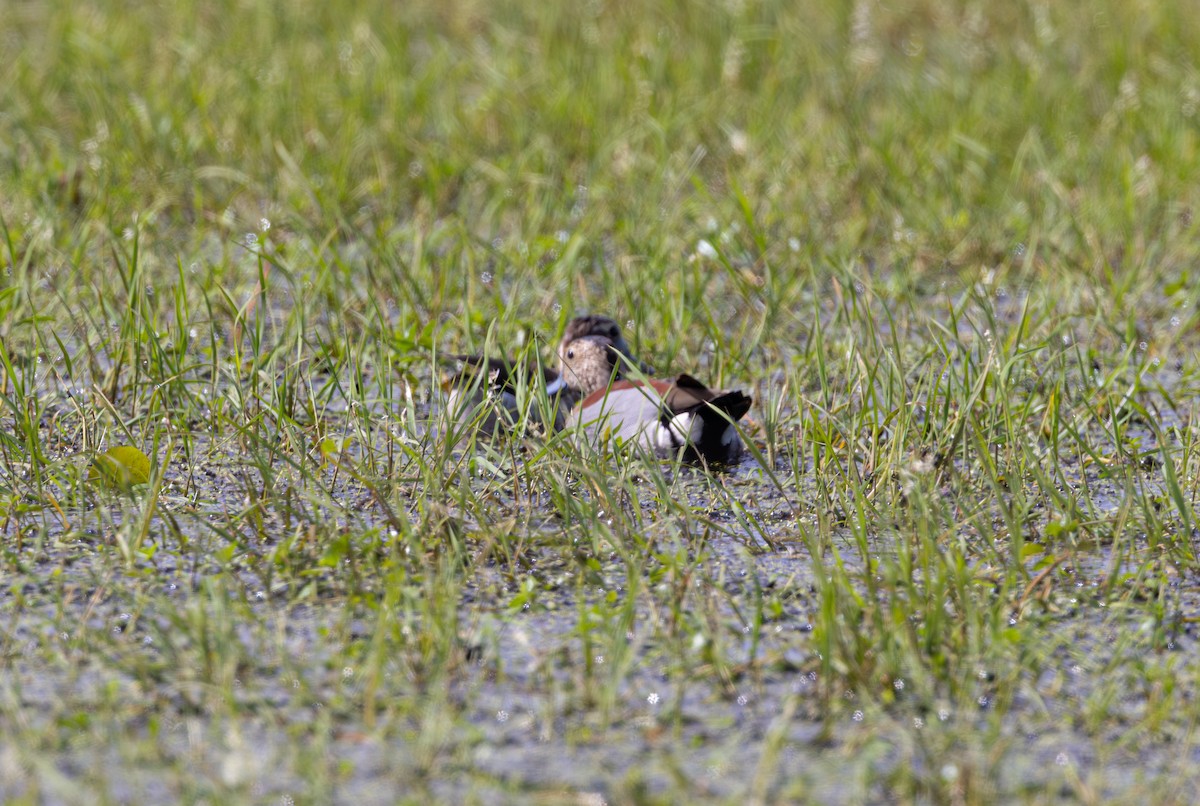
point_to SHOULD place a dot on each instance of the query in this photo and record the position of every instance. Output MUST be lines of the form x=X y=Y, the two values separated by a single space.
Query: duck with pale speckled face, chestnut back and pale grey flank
x=679 y=418
